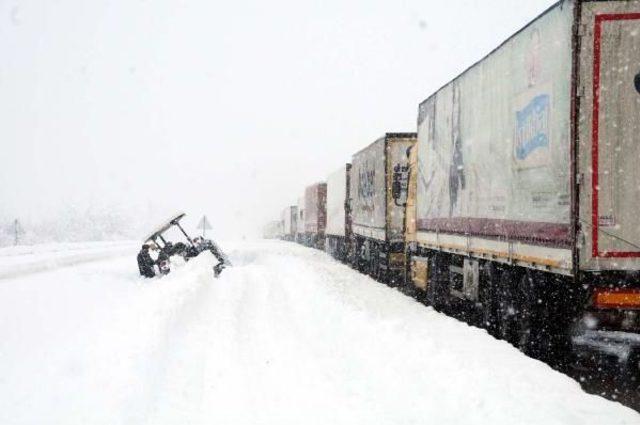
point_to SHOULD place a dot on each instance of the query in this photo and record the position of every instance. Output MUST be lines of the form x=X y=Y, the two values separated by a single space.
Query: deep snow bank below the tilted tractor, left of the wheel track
x=85 y=344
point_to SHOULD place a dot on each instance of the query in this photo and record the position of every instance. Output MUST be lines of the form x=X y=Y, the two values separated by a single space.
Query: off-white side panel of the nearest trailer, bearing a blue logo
x=494 y=147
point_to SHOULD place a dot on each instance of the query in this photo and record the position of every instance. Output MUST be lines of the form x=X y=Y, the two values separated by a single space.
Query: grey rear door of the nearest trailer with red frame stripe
x=609 y=135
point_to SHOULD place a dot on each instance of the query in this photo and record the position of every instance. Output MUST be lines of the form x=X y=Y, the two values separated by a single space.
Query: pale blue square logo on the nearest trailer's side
x=532 y=127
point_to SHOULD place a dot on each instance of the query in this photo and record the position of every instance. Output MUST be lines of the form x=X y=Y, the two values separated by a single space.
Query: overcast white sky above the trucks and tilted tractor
x=223 y=108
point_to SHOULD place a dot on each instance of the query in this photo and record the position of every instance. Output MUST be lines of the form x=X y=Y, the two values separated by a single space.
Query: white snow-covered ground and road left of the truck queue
x=287 y=336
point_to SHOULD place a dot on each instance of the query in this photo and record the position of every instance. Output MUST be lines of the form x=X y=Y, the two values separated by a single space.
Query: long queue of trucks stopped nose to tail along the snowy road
x=515 y=204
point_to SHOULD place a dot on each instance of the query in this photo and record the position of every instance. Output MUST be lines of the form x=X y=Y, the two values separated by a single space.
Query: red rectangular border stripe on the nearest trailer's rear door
x=597 y=47
